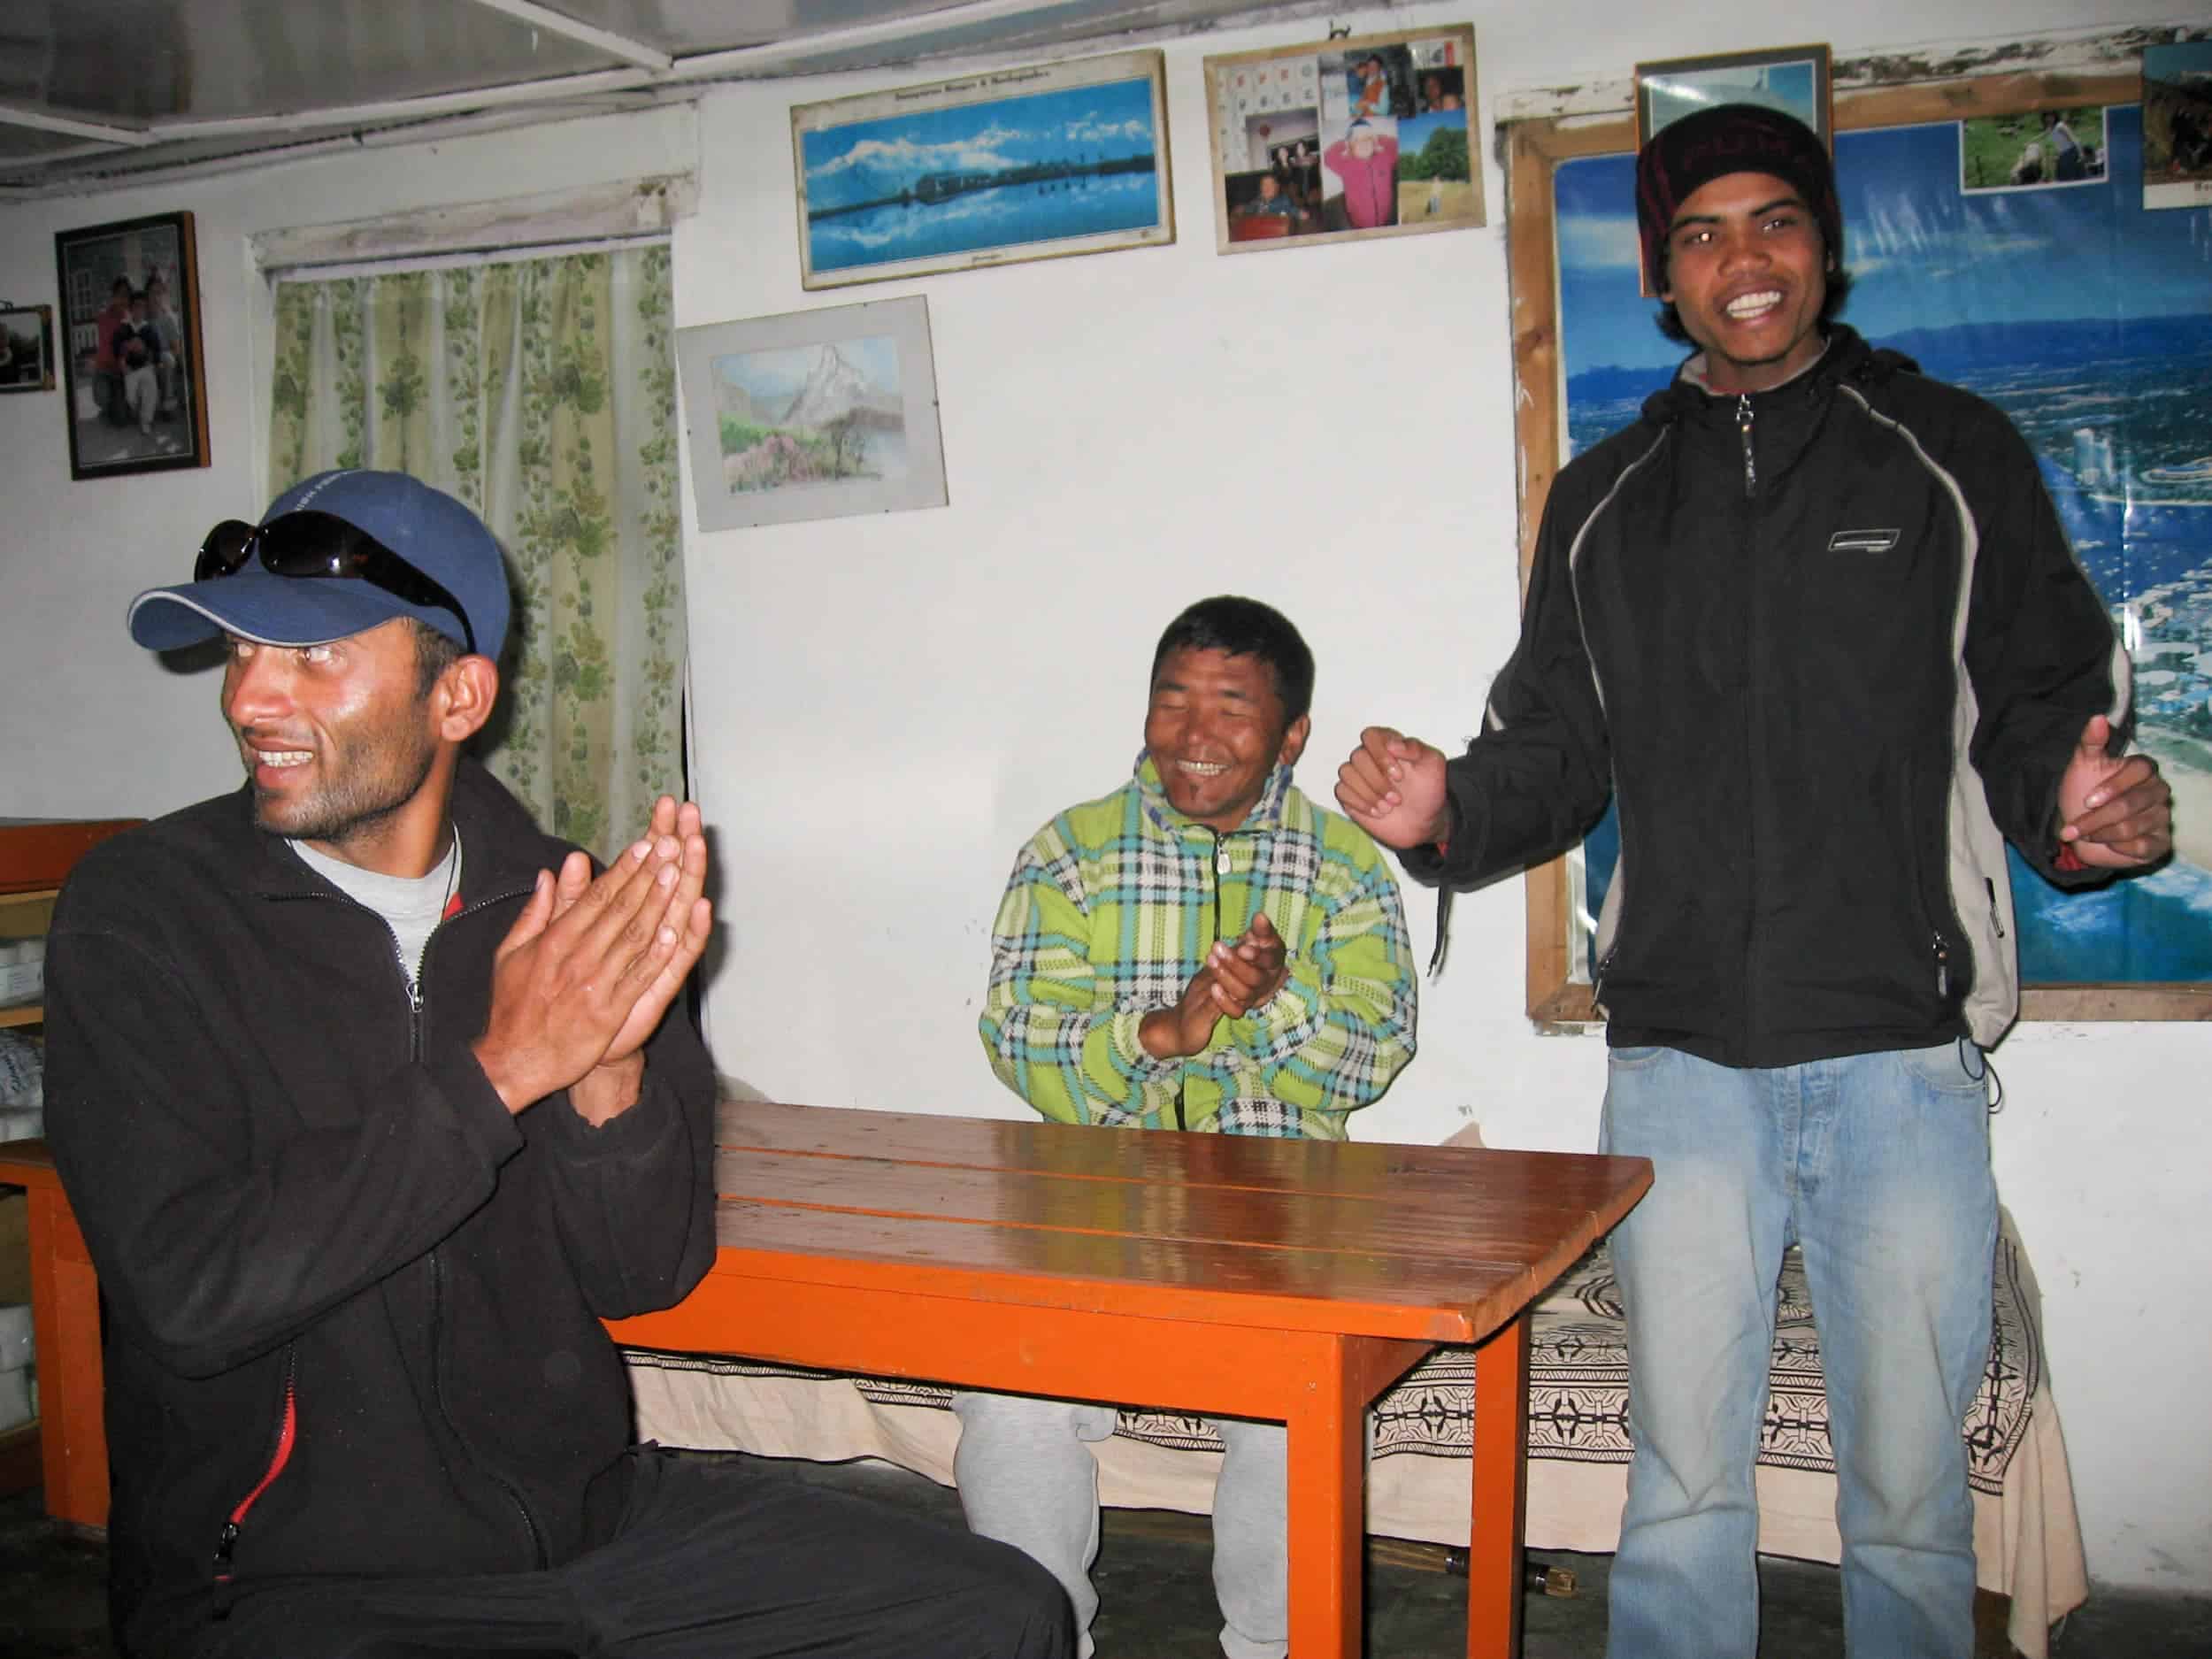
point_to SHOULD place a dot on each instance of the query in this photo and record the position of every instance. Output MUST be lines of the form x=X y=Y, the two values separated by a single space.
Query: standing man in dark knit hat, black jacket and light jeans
x=1815 y=627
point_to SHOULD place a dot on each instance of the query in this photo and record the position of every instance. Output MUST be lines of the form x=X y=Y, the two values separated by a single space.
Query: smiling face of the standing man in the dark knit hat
x=1746 y=271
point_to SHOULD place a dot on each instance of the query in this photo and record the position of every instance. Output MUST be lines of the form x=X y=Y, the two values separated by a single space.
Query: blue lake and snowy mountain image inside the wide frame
x=1016 y=171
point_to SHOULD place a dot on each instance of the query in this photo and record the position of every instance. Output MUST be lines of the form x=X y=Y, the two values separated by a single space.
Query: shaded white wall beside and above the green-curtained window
x=101 y=729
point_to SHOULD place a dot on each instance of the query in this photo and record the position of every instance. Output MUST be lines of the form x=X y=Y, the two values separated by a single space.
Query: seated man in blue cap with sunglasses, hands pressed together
x=373 y=1105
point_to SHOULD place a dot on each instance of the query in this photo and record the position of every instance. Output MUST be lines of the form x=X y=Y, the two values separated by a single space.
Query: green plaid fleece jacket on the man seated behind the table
x=1112 y=910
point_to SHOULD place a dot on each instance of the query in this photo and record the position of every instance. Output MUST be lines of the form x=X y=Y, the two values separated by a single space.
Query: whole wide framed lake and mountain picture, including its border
x=985 y=171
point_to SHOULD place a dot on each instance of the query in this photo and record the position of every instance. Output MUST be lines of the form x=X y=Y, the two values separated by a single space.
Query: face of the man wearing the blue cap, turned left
x=340 y=740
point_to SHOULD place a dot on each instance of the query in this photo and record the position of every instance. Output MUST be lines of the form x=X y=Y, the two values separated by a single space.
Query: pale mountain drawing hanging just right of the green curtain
x=813 y=415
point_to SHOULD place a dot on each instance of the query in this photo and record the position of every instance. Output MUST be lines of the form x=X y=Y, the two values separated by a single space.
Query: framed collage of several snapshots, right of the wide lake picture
x=1370 y=136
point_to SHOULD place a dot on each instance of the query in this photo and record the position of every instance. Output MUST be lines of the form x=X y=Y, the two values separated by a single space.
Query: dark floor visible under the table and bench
x=1156 y=1598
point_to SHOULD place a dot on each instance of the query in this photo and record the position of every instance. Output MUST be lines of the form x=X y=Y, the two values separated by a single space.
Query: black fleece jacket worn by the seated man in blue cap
x=353 y=1304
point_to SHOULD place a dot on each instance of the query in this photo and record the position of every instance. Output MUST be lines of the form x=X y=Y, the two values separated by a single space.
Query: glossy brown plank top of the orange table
x=1370 y=1240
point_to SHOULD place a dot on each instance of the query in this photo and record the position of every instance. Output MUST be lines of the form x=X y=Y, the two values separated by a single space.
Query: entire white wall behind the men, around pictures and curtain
x=888 y=707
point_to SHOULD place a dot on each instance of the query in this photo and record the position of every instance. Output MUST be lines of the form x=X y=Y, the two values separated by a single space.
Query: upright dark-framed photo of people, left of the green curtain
x=138 y=395
